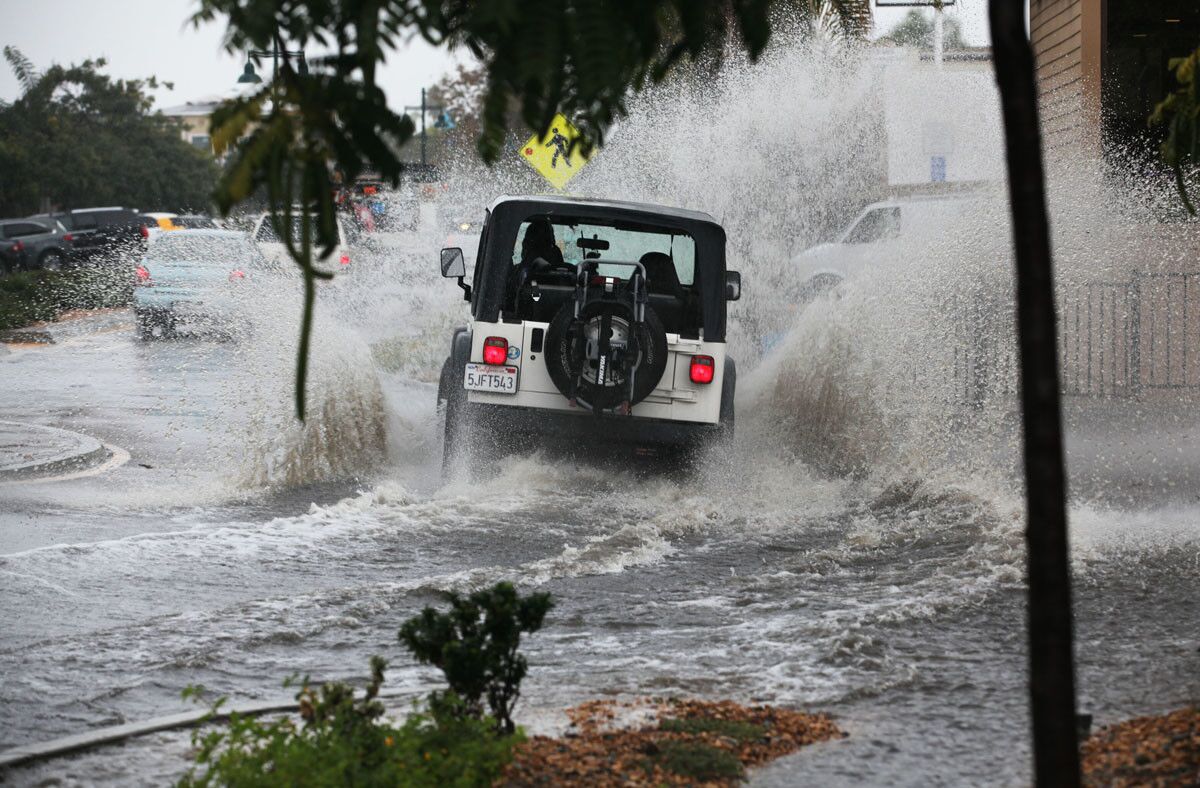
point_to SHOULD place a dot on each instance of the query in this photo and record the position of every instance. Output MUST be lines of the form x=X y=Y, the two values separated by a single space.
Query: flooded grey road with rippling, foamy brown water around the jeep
x=235 y=550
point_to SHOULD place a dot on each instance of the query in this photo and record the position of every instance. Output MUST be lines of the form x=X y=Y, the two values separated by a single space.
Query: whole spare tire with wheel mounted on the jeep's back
x=598 y=381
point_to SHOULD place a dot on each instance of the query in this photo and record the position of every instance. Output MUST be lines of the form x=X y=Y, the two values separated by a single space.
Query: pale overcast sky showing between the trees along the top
x=143 y=38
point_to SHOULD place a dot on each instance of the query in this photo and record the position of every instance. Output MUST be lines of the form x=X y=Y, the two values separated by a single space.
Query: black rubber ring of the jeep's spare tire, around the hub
x=652 y=341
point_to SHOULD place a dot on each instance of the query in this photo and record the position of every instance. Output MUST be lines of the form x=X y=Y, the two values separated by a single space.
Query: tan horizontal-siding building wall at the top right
x=1067 y=39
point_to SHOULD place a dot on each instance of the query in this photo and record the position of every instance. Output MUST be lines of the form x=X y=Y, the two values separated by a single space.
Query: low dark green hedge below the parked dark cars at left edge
x=35 y=297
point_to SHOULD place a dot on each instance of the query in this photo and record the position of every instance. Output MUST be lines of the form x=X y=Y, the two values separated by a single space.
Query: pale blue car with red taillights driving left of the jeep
x=191 y=280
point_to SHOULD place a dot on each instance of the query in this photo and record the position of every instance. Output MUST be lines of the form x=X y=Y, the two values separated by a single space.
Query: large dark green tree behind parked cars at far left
x=76 y=137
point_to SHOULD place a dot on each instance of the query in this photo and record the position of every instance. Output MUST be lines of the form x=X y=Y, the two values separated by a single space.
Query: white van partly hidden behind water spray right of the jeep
x=874 y=238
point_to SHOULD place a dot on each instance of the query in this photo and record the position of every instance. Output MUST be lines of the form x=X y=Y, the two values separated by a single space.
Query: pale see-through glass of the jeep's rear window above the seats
x=626 y=245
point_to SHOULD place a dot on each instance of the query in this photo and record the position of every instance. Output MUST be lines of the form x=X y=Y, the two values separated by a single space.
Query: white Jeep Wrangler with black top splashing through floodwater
x=596 y=327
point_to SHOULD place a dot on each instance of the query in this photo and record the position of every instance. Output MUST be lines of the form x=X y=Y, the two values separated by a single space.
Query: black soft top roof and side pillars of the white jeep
x=508 y=213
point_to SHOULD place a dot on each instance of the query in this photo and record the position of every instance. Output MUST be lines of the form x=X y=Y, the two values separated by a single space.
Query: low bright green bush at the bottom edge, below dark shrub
x=344 y=742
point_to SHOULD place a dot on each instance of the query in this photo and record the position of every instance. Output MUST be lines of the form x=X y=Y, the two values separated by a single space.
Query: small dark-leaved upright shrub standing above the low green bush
x=476 y=646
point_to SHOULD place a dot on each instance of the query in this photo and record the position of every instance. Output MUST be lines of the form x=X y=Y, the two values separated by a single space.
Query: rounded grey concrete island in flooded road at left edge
x=32 y=452
